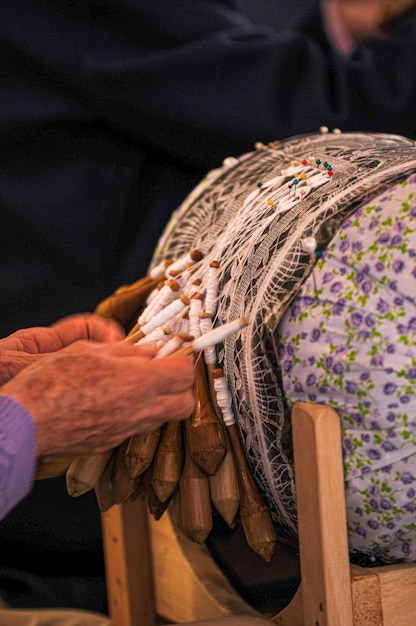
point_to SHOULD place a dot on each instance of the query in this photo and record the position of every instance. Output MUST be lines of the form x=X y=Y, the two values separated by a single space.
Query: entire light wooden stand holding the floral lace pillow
x=186 y=584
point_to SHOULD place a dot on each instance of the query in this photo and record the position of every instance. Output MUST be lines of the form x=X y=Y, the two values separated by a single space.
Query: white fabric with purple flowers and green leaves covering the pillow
x=349 y=340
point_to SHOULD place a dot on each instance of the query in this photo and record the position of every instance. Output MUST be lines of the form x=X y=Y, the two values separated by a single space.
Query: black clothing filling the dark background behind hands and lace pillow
x=110 y=113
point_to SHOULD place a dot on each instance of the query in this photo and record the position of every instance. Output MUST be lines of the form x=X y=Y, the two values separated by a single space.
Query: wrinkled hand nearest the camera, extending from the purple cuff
x=89 y=397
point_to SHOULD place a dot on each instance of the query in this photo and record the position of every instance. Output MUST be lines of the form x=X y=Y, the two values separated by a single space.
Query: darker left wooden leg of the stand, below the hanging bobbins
x=128 y=564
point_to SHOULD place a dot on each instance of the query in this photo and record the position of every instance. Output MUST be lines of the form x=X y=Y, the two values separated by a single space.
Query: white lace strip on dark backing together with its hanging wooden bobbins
x=240 y=247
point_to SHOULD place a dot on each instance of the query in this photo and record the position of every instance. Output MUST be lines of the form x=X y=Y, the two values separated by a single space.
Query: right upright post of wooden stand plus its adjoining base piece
x=333 y=592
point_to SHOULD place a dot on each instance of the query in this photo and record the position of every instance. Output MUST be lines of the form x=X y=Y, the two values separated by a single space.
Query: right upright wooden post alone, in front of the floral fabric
x=323 y=540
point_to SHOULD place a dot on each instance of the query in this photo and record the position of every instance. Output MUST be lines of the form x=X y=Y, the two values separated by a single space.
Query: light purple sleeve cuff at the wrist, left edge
x=17 y=453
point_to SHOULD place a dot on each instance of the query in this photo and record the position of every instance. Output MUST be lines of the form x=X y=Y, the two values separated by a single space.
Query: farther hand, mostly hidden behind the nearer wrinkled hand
x=26 y=346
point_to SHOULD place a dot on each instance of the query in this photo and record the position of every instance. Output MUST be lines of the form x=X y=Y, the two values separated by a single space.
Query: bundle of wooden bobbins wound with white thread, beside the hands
x=197 y=465
